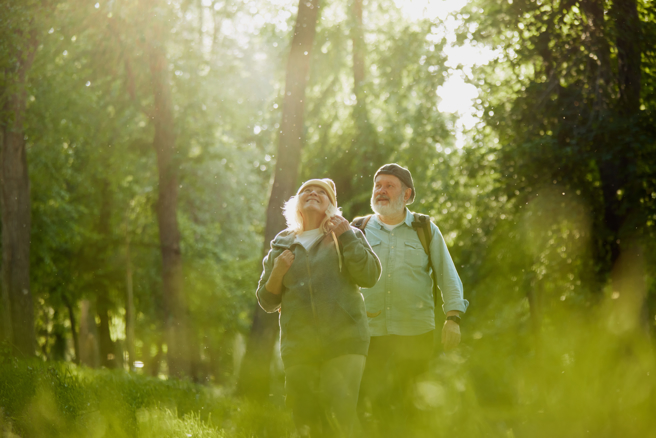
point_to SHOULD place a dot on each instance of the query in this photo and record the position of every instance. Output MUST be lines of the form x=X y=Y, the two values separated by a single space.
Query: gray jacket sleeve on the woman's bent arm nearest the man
x=360 y=260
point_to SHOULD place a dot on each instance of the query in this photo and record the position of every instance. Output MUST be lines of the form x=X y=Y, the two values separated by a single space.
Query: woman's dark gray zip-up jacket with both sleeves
x=322 y=313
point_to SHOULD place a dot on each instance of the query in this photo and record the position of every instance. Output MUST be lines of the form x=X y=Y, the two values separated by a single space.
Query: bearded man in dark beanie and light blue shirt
x=401 y=306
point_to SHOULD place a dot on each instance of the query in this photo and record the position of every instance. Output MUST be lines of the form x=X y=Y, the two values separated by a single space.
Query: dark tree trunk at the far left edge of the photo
x=15 y=200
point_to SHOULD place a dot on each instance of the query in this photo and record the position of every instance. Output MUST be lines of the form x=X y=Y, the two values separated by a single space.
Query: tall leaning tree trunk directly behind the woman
x=254 y=373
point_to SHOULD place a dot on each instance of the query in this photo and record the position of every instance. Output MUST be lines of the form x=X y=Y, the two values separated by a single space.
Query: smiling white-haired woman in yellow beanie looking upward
x=312 y=275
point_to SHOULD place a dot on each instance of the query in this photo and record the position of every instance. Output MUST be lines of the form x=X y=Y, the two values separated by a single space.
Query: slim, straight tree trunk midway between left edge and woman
x=164 y=143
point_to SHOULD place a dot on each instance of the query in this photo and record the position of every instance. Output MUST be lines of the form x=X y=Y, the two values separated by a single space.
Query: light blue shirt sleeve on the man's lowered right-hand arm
x=446 y=274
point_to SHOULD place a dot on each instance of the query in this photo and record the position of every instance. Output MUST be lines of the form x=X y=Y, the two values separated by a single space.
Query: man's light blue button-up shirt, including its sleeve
x=401 y=303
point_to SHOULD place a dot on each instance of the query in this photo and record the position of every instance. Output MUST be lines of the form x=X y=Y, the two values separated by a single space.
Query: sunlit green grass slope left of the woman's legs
x=61 y=400
